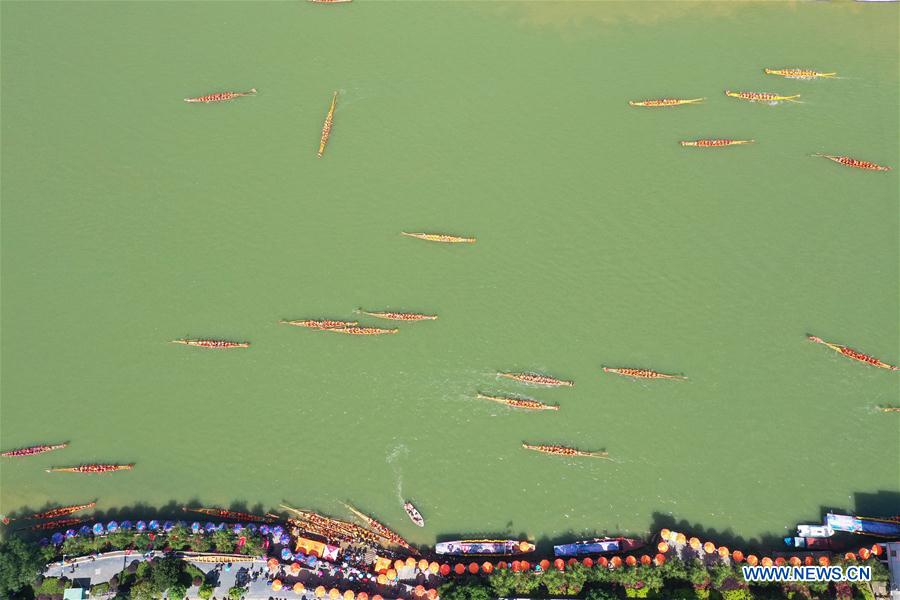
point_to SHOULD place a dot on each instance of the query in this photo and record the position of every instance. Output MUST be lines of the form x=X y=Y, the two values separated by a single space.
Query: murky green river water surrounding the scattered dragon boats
x=130 y=218
